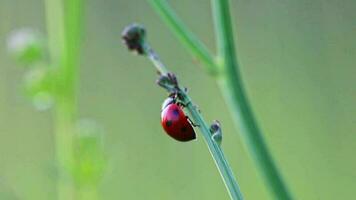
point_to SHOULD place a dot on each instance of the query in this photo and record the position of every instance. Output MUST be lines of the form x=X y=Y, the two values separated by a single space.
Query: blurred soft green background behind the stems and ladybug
x=298 y=64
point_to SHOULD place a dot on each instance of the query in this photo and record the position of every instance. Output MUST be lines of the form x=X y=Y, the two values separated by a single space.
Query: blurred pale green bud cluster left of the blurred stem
x=28 y=47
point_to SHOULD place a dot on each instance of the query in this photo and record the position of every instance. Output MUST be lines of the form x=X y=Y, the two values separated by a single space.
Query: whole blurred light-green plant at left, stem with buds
x=51 y=77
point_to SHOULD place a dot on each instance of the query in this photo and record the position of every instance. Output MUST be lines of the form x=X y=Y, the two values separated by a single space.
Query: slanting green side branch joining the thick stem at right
x=196 y=47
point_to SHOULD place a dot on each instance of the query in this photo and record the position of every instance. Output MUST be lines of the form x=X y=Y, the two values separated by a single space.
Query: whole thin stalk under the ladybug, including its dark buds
x=134 y=38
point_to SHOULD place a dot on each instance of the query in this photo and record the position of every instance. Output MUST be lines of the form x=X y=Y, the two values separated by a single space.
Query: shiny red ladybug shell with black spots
x=176 y=124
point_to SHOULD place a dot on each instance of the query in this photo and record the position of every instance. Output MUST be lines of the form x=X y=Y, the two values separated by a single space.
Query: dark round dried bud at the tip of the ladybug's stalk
x=134 y=36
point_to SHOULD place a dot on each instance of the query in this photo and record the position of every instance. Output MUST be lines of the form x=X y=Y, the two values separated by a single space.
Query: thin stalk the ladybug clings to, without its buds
x=214 y=148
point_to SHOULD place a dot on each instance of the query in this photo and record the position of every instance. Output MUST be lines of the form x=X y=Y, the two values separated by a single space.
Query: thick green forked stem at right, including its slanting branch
x=231 y=85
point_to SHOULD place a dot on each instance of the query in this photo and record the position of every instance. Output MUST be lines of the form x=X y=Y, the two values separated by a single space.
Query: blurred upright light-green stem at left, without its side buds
x=63 y=25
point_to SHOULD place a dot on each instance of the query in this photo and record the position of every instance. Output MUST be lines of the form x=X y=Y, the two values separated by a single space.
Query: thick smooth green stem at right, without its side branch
x=237 y=101
